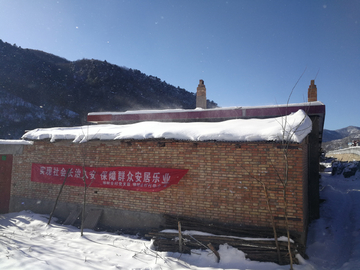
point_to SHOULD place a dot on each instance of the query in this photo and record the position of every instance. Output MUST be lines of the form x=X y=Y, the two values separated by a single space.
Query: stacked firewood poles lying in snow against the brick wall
x=263 y=250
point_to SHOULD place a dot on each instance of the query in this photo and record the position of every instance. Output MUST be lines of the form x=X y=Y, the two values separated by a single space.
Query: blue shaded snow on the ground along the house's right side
x=334 y=239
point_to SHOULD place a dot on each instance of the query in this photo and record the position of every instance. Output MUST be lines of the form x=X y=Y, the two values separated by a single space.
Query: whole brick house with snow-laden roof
x=219 y=185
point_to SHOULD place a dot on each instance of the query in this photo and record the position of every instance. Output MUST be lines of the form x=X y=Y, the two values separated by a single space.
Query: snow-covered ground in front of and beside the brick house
x=27 y=242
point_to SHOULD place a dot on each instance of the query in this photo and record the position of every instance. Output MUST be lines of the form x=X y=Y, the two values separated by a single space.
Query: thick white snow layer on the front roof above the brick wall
x=294 y=127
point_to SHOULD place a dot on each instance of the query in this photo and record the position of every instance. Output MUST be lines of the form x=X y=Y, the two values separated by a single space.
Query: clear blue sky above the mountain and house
x=248 y=53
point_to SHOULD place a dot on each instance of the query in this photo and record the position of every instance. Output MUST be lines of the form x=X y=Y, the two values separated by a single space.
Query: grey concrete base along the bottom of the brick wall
x=116 y=219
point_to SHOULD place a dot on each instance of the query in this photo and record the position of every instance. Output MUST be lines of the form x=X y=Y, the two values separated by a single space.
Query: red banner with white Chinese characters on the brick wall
x=130 y=178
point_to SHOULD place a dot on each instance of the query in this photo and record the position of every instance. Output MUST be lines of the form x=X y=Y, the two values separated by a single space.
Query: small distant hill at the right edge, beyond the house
x=338 y=139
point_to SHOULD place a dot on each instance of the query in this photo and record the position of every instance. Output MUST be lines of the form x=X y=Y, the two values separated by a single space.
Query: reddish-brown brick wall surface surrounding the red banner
x=221 y=183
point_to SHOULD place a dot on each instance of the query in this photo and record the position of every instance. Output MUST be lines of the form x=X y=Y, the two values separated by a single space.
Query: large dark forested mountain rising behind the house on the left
x=38 y=89
